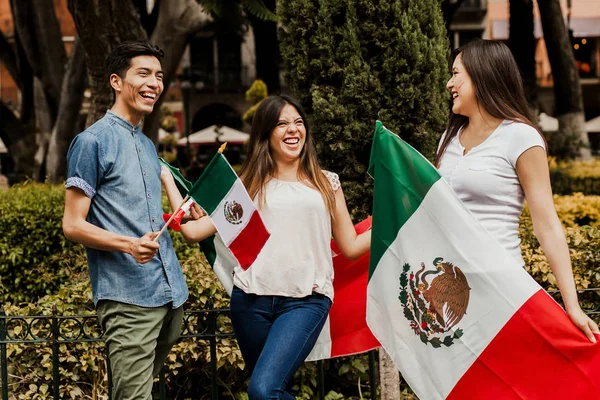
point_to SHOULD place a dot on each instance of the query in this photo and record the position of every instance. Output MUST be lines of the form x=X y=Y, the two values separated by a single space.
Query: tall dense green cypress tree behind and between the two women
x=351 y=62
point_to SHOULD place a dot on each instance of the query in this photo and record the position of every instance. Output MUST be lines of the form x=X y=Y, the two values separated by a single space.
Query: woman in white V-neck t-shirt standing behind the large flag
x=494 y=159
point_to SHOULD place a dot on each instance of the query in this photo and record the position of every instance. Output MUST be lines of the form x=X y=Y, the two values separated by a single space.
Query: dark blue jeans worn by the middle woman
x=275 y=335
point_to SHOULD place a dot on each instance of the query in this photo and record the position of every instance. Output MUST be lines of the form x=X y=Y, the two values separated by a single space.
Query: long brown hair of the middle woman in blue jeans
x=259 y=166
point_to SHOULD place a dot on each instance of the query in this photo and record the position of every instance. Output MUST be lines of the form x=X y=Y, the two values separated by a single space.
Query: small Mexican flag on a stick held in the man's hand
x=222 y=195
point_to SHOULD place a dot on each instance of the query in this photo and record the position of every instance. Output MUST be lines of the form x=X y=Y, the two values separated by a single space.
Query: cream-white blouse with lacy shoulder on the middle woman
x=297 y=258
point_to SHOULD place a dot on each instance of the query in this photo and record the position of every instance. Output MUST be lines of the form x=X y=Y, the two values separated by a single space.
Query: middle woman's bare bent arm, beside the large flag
x=351 y=245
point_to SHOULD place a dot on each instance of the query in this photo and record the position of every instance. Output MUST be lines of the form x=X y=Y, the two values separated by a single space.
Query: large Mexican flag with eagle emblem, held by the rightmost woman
x=460 y=318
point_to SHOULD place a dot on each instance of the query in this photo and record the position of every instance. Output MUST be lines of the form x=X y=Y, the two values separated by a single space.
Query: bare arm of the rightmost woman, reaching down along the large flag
x=532 y=169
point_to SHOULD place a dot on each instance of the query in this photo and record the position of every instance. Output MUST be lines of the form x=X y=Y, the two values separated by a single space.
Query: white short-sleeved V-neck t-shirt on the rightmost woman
x=486 y=180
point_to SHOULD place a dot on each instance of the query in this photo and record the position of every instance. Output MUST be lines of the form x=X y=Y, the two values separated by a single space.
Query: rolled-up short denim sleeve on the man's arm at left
x=83 y=164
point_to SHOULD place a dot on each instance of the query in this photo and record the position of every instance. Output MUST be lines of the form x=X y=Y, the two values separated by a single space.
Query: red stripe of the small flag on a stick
x=250 y=241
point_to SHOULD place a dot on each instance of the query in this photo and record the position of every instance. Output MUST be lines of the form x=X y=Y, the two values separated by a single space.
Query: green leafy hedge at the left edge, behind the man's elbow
x=35 y=257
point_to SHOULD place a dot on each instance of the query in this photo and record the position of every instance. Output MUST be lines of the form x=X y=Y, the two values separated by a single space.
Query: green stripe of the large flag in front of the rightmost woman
x=402 y=179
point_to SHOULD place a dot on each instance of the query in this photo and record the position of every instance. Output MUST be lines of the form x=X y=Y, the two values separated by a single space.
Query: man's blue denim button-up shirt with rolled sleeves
x=117 y=167
